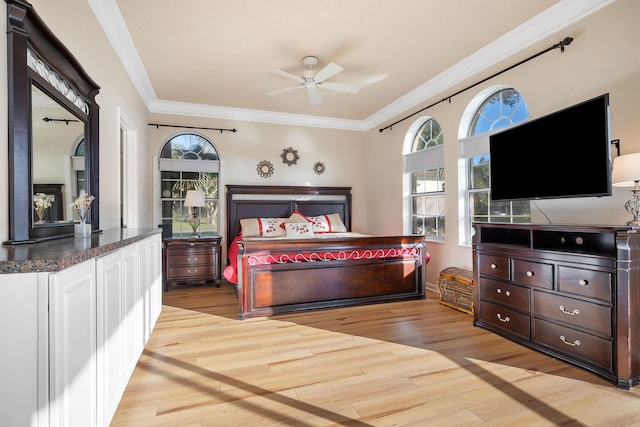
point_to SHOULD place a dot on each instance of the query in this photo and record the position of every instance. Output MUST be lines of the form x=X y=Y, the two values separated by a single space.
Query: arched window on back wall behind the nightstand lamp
x=188 y=162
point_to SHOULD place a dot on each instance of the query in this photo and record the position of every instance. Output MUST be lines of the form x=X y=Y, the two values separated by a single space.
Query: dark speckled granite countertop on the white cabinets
x=56 y=255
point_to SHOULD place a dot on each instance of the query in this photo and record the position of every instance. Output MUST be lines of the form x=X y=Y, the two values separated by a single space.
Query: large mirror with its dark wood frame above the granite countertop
x=46 y=81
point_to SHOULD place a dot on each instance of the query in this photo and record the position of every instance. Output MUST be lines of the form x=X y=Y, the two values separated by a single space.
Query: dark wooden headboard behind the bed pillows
x=279 y=201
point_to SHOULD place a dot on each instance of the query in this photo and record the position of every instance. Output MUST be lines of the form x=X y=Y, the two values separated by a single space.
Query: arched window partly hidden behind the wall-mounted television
x=491 y=110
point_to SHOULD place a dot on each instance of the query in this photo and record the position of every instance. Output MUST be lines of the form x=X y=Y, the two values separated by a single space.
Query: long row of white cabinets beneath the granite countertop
x=71 y=339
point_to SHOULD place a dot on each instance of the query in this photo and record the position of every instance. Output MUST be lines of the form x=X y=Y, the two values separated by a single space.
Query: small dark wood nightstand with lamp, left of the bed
x=191 y=260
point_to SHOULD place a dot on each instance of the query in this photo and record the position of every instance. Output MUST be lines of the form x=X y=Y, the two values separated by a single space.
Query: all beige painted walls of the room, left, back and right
x=603 y=58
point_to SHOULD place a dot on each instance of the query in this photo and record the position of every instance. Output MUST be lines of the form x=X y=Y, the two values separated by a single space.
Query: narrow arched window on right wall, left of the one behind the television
x=424 y=163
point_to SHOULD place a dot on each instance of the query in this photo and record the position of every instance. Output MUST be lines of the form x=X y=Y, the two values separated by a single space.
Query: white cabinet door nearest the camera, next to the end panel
x=72 y=314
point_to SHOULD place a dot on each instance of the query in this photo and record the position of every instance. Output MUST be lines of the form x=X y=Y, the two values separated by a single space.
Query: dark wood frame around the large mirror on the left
x=26 y=30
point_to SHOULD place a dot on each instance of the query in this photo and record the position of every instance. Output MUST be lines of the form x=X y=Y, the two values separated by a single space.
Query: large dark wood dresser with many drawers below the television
x=572 y=292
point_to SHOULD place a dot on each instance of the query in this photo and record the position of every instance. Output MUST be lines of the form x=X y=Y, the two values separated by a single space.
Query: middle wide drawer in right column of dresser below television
x=586 y=315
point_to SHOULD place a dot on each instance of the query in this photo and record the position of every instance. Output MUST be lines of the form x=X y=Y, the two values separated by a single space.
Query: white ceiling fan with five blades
x=312 y=82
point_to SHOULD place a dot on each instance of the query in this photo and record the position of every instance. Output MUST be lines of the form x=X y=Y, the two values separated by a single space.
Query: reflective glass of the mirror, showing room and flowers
x=57 y=160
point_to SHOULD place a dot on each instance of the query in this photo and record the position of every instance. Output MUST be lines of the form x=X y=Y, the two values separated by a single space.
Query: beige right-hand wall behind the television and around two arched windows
x=603 y=58
